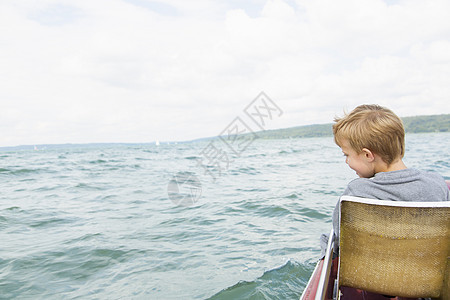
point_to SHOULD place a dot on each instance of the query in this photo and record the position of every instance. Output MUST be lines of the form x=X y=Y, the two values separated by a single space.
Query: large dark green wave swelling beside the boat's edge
x=285 y=282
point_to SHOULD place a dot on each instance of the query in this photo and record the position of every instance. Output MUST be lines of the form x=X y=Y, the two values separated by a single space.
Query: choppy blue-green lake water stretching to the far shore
x=96 y=221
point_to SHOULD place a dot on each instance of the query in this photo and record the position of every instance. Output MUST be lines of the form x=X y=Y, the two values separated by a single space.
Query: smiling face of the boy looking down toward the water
x=359 y=162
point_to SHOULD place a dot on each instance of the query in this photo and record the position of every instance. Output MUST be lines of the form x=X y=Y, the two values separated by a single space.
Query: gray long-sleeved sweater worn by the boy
x=402 y=185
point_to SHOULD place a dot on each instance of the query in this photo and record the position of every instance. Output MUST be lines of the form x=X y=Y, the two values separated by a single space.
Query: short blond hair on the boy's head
x=373 y=127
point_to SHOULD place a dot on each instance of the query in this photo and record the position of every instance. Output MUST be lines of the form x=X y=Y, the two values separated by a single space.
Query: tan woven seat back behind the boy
x=395 y=250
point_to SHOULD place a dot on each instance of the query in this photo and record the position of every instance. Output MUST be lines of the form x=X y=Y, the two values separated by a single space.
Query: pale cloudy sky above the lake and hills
x=76 y=71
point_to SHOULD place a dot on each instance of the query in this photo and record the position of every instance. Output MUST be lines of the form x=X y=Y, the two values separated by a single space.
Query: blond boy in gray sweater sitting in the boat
x=372 y=139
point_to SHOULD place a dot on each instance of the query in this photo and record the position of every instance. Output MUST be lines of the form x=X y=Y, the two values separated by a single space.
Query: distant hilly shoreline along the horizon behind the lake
x=415 y=124
